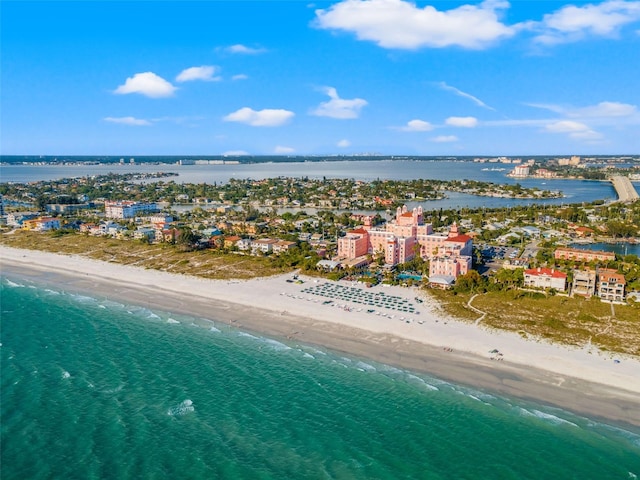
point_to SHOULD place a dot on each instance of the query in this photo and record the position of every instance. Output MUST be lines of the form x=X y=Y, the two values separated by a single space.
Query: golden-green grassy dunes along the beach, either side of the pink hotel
x=573 y=321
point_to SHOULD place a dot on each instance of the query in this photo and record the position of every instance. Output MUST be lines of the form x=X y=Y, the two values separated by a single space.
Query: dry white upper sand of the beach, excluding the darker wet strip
x=286 y=298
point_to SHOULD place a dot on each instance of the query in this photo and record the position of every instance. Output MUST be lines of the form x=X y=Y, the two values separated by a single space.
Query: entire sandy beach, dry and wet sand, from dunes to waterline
x=386 y=324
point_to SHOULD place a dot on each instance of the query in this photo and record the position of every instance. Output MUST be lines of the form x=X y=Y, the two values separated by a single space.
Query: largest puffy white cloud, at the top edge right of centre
x=403 y=25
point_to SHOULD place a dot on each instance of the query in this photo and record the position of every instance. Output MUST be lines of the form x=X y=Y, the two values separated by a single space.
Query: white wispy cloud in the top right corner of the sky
x=572 y=23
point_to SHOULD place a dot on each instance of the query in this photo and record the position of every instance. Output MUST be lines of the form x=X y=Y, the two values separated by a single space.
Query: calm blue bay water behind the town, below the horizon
x=574 y=191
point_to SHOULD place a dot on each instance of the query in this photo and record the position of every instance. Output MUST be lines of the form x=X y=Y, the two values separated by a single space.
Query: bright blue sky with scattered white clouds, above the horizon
x=301 y=78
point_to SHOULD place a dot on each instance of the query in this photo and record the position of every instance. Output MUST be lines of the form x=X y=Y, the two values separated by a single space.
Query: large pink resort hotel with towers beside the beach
x=407 y=236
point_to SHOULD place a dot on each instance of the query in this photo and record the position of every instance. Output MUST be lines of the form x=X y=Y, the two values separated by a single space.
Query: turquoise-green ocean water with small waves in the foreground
x=92 y=388
